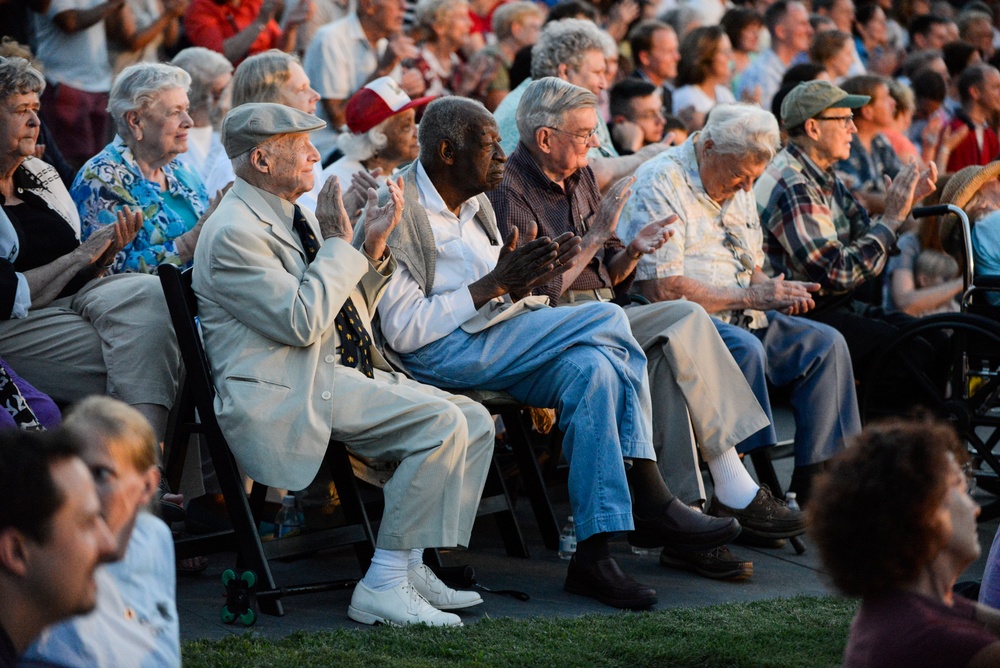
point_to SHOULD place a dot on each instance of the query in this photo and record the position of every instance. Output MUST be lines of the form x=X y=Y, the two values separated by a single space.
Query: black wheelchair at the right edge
x=968 y=394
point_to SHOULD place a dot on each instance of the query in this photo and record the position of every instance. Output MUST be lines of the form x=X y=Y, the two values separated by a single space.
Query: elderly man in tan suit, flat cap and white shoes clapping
x=285 y=305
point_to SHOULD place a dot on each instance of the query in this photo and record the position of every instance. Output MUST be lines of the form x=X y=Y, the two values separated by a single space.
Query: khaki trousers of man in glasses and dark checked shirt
x=700 y=397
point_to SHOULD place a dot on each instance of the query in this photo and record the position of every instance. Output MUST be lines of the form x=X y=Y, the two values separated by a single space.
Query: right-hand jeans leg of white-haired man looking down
x=814 y=359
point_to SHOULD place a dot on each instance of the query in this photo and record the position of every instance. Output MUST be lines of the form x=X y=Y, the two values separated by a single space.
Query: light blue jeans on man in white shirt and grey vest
x=582 y=361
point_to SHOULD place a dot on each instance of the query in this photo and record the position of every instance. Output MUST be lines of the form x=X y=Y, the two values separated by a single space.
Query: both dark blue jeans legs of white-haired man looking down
x=814 y=360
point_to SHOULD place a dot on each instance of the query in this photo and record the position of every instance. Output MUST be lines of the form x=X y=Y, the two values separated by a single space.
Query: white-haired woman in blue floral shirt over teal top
x=139 y=169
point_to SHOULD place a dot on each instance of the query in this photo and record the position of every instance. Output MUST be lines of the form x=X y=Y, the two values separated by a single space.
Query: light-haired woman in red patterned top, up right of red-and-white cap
x=444 y=26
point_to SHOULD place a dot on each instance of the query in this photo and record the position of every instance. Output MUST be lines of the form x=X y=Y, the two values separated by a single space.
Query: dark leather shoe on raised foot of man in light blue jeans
x=683 y=527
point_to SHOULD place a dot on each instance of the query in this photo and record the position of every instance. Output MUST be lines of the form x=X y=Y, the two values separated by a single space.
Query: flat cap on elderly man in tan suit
x=248 y=125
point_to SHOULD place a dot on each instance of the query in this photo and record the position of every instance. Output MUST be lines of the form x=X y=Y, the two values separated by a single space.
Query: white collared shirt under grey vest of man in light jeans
x=411 y=320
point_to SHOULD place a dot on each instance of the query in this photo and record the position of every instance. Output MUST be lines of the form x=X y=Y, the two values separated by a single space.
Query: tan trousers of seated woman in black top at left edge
x=113 y=337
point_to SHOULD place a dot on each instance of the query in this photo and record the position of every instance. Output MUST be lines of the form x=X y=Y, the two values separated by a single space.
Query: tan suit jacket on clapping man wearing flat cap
x=268 y=323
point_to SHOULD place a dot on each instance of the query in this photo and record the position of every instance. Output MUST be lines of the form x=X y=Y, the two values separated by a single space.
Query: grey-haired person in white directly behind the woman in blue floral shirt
x=209 y=96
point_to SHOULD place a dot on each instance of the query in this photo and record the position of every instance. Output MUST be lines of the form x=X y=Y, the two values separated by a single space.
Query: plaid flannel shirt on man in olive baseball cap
x=815 y=229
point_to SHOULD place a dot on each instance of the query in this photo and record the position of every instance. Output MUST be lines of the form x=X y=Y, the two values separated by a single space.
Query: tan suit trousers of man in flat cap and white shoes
x=444 y=445
